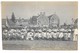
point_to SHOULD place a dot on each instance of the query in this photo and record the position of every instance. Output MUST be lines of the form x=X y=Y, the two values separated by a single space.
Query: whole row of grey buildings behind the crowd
x=35 y=21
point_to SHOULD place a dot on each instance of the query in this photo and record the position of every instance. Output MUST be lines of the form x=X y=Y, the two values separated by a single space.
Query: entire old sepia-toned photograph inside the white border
x=39 y=25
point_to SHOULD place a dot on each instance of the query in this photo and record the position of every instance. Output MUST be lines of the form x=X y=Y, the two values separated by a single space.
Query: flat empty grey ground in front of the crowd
x=39 y=45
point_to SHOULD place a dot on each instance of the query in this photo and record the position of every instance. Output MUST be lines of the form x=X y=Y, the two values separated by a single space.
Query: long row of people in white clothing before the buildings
x=39 y=34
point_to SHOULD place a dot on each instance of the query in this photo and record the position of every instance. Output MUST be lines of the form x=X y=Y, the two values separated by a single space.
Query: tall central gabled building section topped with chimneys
x=42 y=20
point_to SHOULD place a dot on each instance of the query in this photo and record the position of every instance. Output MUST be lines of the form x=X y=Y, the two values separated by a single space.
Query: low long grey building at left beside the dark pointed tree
x=20 y=23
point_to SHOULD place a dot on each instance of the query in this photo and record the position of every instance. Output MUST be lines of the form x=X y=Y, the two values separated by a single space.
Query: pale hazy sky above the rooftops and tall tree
x=64 y=10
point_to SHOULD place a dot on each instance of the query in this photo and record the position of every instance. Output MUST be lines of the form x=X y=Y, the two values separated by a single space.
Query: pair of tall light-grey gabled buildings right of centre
x=48 y=21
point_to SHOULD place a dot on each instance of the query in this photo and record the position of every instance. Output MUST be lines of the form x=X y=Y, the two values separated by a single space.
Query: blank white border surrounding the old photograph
x=35 y=51
